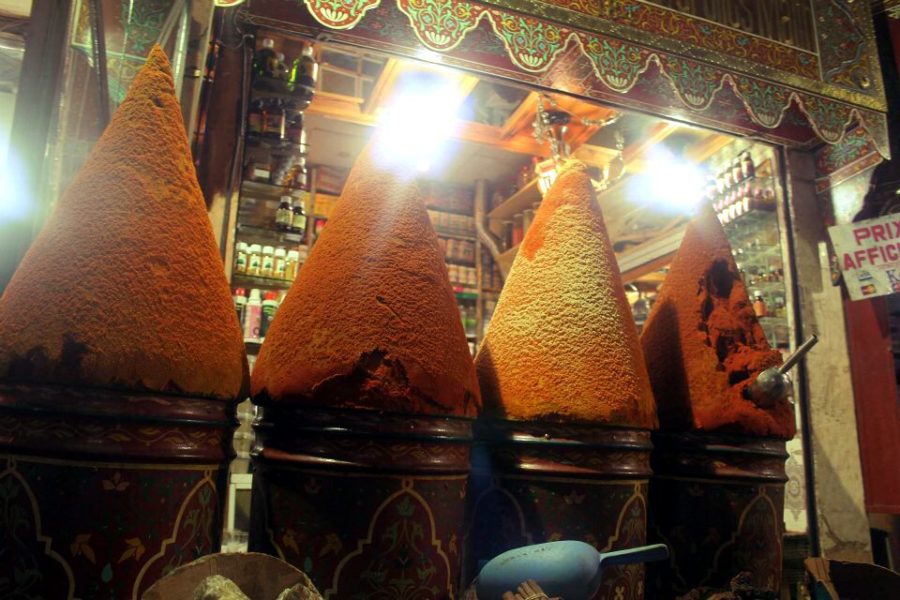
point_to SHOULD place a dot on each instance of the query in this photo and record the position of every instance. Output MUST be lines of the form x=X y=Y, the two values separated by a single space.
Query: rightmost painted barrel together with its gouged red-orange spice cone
x=717 y=494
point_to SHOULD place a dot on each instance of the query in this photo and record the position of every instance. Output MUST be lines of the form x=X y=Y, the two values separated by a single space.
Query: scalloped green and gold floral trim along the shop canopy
x=533 y=46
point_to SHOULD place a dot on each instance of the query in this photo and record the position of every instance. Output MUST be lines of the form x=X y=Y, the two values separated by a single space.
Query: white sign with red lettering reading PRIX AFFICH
x=868 y=254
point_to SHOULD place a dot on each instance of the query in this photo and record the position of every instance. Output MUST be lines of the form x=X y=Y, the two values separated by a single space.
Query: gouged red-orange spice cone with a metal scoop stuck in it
x=704 y=345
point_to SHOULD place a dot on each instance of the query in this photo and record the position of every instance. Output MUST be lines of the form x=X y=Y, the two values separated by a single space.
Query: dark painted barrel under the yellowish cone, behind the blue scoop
x=538 y=482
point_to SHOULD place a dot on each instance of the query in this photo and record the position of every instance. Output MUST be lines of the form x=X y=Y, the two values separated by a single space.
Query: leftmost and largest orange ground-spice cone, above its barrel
x=124 y=286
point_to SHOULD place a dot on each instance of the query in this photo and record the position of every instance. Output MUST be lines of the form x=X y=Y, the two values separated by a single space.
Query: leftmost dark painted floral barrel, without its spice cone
x=103 y=492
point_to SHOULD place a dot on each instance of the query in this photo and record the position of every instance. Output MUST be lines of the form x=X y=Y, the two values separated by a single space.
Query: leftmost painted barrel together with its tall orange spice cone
x=120 y=362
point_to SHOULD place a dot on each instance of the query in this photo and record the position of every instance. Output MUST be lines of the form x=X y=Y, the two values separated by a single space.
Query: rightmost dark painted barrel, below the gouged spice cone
x=717 y=501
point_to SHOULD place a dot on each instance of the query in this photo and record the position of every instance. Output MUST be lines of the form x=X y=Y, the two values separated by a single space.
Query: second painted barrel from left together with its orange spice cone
x=364 y=375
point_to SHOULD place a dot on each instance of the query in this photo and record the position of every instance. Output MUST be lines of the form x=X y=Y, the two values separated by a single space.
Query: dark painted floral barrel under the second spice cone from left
x=368 y=504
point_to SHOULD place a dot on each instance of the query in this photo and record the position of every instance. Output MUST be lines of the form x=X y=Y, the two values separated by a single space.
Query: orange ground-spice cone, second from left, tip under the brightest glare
x=371 y=322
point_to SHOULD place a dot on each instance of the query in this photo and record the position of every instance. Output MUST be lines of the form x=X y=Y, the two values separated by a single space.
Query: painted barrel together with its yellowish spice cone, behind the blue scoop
x=566 y=454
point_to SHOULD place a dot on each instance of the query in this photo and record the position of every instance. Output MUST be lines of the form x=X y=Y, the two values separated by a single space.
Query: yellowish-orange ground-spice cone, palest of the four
x=562 y=345
